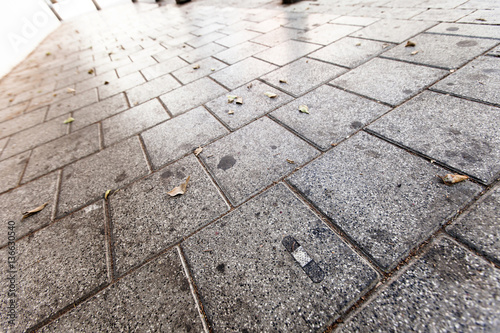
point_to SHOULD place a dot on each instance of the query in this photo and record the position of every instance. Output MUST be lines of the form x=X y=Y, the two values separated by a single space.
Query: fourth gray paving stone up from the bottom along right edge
x=479 y=80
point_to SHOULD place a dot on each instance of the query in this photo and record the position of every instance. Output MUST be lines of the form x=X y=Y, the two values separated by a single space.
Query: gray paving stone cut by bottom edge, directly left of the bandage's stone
x=154 y=298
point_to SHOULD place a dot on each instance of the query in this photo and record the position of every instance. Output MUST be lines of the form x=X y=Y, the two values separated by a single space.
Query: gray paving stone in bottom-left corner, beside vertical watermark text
x=57 y=266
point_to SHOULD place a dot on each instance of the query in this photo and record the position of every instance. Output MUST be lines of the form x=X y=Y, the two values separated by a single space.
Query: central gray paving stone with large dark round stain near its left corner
x=248 y=160
